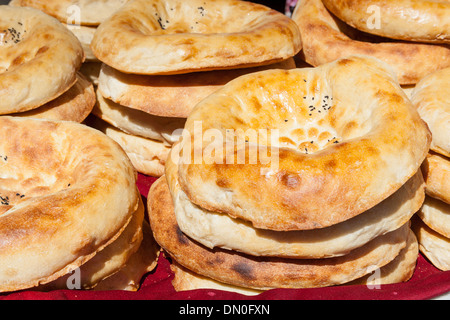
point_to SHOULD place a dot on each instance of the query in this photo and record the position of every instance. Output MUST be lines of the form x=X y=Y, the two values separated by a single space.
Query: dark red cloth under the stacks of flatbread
x=427 y=282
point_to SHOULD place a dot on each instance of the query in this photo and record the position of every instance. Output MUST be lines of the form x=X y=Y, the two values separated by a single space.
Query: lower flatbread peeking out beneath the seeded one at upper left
x=73 y=105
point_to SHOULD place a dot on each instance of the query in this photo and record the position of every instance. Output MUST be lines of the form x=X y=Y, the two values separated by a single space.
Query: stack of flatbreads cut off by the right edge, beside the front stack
x=432 y=225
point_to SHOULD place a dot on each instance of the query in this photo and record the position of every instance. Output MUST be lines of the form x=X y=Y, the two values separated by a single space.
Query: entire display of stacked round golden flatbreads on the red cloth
x=287 y=151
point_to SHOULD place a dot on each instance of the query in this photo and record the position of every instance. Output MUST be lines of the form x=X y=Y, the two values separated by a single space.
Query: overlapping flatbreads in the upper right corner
x=335 y=29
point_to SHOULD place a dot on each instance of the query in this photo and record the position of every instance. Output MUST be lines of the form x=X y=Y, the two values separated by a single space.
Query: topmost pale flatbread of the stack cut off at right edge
x=430 y=98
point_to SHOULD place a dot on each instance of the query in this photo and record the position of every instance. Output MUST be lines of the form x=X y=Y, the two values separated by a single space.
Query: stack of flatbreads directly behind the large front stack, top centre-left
x=143 y=102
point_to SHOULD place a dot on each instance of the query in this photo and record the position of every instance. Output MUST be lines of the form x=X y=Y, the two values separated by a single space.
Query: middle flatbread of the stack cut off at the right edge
x=436 y=171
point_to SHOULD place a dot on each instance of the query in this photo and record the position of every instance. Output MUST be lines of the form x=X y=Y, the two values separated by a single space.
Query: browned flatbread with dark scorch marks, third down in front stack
x=264 y=273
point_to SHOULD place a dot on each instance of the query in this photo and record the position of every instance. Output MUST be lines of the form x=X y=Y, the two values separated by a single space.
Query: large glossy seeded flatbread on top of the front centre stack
x=335 y=149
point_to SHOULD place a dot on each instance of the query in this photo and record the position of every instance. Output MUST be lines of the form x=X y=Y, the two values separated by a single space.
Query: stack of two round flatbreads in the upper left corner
x=40 y=63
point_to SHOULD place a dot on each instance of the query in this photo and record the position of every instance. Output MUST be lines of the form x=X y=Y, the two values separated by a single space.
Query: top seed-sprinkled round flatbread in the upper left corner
x=39 y=59
